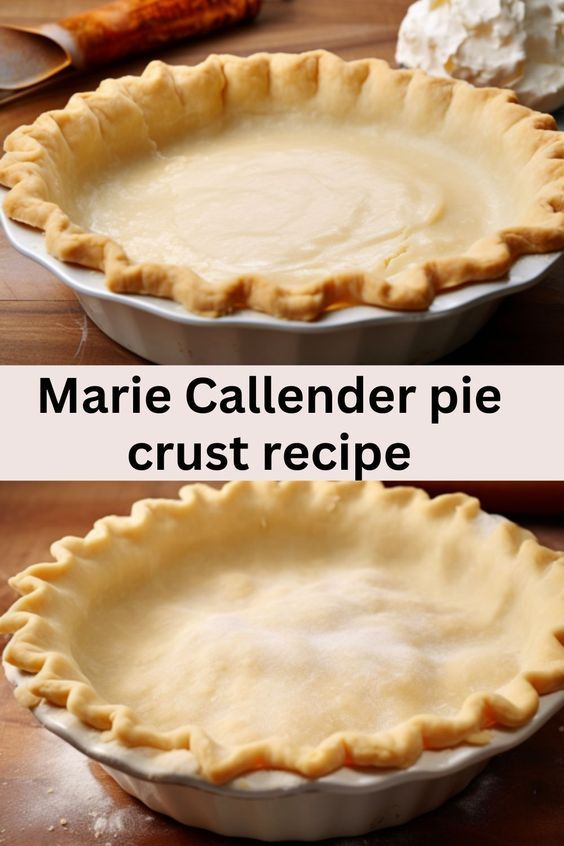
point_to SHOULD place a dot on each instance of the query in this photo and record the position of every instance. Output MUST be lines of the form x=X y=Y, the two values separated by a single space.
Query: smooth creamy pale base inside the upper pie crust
x=294 y=199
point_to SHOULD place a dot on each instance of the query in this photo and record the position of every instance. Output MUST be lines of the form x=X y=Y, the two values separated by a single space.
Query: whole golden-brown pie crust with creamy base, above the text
x=289 y=184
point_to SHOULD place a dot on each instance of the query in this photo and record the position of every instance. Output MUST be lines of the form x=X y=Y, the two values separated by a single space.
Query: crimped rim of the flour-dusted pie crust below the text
x=58 y=680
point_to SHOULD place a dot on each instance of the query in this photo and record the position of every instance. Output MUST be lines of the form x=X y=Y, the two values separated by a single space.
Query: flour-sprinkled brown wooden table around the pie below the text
x=518 y=800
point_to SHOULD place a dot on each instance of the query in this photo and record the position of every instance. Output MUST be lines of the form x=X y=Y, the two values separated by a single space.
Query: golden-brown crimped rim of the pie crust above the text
x=27 y=166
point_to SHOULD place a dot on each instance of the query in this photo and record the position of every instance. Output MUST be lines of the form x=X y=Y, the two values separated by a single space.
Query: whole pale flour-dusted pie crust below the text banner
x=298 y=626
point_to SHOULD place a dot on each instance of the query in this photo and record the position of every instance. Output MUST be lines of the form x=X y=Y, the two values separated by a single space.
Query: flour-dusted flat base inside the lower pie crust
x=258 y=648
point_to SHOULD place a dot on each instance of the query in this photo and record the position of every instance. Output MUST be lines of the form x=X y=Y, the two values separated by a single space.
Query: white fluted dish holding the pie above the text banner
x=163 y=332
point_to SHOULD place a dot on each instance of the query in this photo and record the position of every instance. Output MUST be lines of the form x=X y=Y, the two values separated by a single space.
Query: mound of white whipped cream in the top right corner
x=506 y=43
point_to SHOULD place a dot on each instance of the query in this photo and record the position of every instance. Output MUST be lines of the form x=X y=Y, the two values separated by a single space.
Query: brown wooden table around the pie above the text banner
x=41 y=321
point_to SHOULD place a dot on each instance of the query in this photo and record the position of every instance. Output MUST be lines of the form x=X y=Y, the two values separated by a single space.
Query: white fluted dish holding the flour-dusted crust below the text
x=275 y=805
